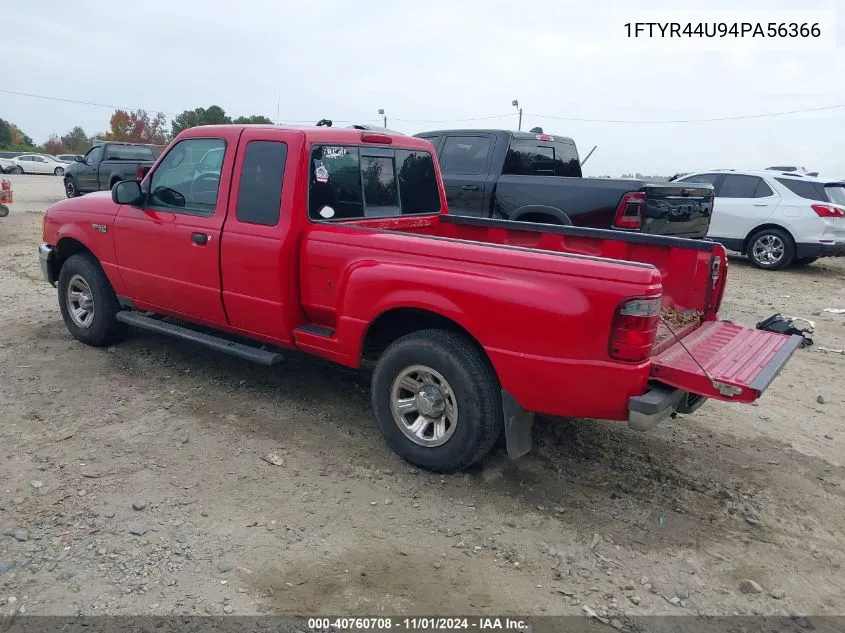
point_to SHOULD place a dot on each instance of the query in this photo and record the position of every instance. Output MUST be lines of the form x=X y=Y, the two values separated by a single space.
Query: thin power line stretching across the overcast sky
x=481 y=118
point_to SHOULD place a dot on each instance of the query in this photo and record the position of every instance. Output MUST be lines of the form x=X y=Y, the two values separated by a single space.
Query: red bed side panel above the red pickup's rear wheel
x=543 y=319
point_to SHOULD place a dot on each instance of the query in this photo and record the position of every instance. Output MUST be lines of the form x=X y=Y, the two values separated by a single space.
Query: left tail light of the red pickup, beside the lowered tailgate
x=634 y=329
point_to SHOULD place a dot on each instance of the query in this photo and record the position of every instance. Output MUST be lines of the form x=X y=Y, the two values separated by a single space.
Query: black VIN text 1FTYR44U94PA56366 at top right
x=724 y=29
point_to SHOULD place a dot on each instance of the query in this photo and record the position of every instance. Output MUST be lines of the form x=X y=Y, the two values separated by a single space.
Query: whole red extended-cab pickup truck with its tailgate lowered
x=254 y=240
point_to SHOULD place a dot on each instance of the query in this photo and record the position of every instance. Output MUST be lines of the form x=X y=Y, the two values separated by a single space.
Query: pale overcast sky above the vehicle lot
x=437 y=64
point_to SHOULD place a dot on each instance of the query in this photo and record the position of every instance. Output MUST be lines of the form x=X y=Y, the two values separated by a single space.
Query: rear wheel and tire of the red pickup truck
x=467 y=386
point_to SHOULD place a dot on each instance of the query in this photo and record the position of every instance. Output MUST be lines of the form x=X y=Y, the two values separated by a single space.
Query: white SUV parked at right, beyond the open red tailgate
x=775 y=218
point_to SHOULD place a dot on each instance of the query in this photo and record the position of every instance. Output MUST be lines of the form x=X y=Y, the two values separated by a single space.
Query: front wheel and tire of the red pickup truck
x=97 y=325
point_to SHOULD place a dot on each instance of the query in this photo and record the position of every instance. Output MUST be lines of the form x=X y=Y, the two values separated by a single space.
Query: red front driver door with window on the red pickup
x=168 y=248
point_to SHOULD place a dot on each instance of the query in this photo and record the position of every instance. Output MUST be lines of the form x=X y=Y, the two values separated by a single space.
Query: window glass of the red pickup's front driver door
x=178 y=184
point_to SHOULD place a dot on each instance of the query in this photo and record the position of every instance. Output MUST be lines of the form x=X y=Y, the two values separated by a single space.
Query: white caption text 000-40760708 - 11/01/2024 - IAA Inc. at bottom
x=419 y=624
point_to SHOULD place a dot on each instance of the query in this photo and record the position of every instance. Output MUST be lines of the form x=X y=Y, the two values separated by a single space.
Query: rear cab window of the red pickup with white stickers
x=353 y=182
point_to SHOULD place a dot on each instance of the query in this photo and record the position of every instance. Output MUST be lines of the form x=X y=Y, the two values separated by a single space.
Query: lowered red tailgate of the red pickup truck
x=725 y=361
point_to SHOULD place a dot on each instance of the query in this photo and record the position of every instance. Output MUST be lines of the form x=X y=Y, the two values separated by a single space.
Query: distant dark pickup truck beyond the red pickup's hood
x=106 y=164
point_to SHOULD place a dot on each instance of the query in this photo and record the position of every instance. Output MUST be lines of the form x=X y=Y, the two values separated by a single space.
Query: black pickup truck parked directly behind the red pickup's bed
x=536 y=177
